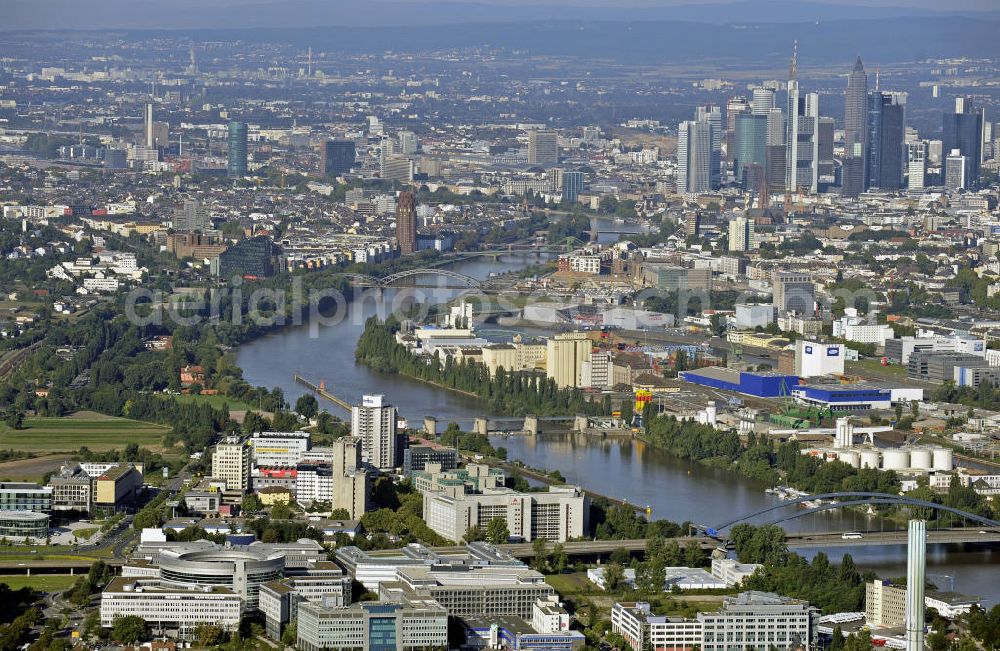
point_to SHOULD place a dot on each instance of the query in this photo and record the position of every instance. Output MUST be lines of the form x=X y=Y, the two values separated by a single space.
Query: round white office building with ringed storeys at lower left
x=241 y=570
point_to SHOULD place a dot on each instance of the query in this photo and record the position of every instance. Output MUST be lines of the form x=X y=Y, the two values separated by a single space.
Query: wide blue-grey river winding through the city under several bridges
x=673 y=488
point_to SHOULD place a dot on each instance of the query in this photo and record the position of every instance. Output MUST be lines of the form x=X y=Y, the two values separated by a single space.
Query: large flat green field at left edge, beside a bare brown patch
x=96 y=431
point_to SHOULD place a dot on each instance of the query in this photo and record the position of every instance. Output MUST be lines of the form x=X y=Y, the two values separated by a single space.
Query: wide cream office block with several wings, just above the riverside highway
x=557 y=515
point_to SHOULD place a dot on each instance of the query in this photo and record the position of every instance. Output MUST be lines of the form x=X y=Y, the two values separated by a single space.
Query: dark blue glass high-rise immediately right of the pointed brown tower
x=886 y=130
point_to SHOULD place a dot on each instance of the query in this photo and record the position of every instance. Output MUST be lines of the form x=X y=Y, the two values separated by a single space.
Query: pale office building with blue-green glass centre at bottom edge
x=372 y=626
